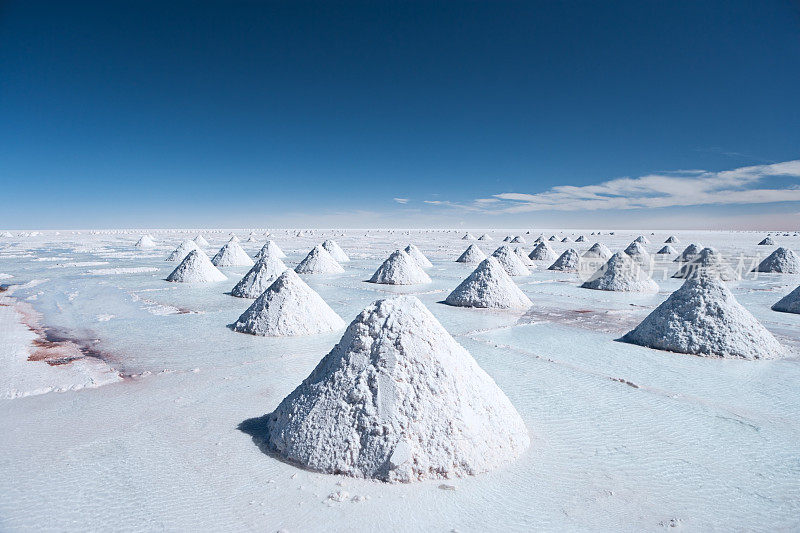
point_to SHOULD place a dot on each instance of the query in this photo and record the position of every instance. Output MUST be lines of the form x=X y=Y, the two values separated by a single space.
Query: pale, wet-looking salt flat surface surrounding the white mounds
x=622 y=437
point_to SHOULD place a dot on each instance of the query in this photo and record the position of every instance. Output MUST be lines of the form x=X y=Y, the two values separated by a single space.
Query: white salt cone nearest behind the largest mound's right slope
x=489 y=286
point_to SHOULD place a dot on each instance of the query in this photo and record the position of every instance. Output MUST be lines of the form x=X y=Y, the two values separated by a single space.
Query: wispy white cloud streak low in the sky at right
x=662 y=189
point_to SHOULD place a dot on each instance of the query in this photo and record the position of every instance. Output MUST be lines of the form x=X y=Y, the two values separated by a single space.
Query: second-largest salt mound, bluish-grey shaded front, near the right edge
x=704 y=318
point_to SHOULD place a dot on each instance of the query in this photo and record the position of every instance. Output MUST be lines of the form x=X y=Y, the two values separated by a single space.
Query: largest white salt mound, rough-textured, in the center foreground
x=398 y=400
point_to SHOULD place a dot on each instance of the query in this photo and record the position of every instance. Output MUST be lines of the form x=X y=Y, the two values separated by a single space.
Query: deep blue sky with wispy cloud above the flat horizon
x=499 y=114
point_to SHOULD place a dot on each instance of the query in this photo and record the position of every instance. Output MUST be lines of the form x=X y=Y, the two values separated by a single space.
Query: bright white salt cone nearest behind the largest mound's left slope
x=288 y=308
